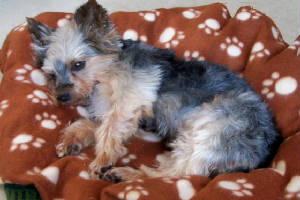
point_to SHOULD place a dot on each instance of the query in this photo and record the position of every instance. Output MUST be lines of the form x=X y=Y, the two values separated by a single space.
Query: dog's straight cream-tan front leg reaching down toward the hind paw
x=115 y=129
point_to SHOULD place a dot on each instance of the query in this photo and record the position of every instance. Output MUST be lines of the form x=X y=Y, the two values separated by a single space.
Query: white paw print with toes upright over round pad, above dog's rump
x=232 y=46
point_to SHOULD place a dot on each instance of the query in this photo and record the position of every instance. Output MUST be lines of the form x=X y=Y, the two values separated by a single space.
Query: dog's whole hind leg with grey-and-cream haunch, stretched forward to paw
x=226 y=135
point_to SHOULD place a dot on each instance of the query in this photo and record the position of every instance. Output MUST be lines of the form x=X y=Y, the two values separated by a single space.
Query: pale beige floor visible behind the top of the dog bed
x=285 y=13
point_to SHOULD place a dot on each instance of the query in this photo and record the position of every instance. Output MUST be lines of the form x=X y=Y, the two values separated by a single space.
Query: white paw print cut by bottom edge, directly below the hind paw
x=133 y=192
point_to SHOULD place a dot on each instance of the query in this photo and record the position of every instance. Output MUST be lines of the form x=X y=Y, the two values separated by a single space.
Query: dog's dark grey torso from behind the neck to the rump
x=205 y=109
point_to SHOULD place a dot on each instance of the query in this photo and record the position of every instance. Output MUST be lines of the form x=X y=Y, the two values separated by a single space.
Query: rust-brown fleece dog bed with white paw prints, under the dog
x=248 y=43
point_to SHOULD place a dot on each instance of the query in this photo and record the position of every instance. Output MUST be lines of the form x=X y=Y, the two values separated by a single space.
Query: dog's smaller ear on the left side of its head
x=39 y=33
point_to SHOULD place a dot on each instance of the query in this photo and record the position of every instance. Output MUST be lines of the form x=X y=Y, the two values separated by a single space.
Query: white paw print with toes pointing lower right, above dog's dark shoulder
x=170 y=37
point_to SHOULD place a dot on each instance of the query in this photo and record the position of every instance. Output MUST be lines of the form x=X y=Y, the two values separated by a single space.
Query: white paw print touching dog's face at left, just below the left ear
x=36 y=76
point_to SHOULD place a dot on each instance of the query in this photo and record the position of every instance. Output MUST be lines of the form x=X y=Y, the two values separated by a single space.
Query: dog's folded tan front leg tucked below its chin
x=75 y=137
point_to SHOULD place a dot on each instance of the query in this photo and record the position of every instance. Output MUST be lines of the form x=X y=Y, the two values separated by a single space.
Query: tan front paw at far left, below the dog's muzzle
x=68 y=144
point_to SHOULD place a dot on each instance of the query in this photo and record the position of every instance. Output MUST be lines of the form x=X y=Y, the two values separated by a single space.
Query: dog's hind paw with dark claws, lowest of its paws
x=118 y=174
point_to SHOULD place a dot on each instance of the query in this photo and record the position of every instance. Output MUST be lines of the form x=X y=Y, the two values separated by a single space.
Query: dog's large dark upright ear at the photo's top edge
x=93 y=21
